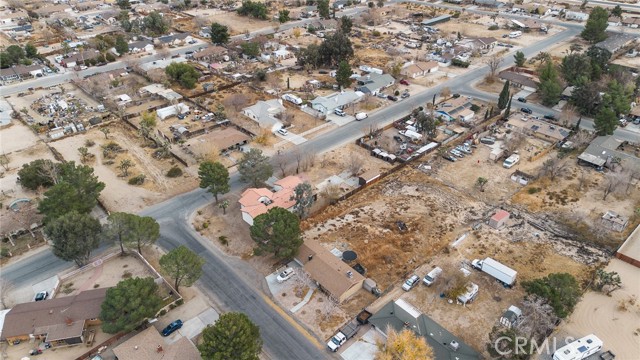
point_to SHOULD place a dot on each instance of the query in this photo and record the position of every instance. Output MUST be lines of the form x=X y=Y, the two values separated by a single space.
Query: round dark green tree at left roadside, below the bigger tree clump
x=74 y=236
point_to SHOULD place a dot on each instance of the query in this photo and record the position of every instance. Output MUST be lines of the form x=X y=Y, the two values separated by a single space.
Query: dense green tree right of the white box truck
x=560 y=290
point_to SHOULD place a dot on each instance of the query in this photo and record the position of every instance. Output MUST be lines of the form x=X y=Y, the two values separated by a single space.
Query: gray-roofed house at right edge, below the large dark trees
x=603 y=150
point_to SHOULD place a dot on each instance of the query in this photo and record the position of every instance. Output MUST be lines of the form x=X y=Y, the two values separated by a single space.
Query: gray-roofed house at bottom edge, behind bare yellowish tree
x=400 y=315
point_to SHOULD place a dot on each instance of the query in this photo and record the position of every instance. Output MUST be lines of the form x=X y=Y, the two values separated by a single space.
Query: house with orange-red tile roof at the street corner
x=257 y=201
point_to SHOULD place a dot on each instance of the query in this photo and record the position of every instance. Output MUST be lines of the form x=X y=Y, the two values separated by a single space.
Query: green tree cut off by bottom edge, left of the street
x=233 y=336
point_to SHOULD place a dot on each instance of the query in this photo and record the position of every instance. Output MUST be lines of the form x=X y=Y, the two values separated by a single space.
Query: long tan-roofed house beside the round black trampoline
x=331 y=274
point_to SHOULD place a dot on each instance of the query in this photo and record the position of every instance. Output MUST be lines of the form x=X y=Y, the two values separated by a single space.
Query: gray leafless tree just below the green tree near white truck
x=537 y=318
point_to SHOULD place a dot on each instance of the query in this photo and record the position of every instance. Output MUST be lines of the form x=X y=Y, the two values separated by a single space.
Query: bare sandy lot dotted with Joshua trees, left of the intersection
x=118 y=194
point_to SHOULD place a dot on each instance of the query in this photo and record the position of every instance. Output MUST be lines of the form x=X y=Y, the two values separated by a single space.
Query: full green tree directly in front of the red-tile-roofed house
x=277 y=231
